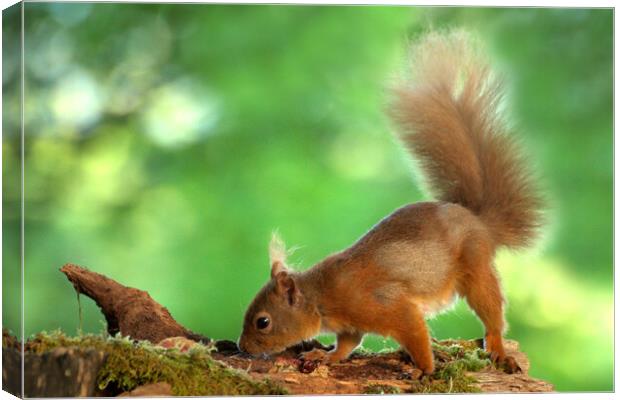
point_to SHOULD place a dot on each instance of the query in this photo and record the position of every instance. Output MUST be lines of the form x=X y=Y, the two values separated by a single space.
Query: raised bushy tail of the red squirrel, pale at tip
x=450 y=122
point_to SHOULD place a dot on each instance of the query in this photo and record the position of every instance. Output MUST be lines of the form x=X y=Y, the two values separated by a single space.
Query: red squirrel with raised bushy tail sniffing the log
x=419 y=259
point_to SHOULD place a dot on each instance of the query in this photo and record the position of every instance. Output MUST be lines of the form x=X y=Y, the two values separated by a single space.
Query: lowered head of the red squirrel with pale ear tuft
x=280 y=315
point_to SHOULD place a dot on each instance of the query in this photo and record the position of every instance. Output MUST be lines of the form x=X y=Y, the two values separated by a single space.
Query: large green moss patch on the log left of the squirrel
x=130 y=364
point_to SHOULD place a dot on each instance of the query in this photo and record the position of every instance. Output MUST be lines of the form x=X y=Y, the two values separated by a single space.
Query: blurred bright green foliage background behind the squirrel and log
x=165 y=142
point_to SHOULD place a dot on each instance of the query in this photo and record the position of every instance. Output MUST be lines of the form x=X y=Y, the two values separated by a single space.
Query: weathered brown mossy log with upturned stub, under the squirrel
x=149 y=353
